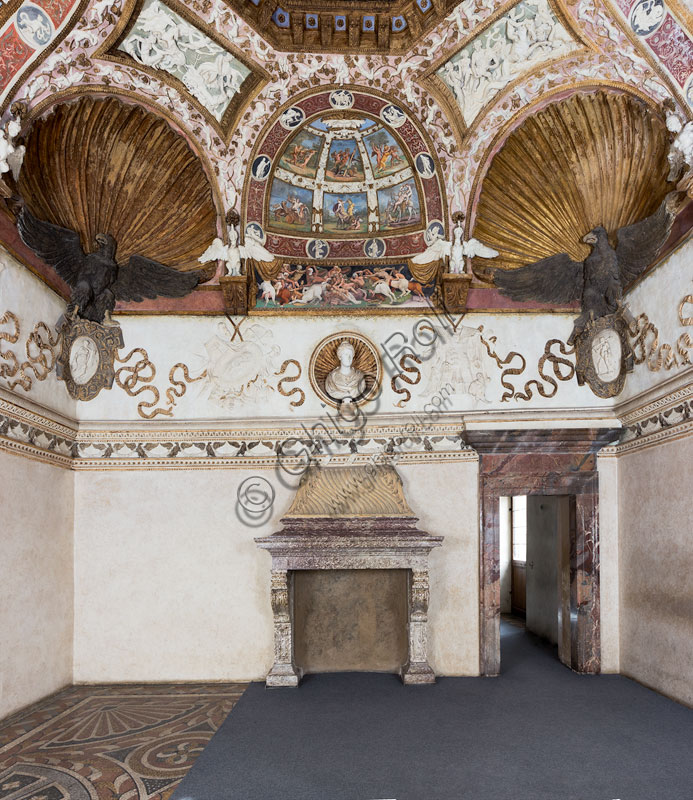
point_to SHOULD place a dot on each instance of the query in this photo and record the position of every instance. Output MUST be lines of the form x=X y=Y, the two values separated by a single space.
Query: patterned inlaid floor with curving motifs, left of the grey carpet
x=111 y=742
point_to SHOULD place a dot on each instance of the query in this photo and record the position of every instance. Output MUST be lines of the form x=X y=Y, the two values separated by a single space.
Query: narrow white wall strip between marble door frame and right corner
x=607 y=465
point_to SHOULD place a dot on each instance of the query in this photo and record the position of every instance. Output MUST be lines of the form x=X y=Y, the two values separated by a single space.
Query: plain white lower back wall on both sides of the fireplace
x=169 y=584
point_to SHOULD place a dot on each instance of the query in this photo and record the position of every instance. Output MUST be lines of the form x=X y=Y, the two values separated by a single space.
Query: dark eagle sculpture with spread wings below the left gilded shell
x=96 y=279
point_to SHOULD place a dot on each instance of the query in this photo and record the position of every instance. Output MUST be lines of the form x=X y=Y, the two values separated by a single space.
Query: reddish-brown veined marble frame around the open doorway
x=543 y=462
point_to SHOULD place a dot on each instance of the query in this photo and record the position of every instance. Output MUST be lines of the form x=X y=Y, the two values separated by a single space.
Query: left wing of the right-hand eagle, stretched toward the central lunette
x=556 y=279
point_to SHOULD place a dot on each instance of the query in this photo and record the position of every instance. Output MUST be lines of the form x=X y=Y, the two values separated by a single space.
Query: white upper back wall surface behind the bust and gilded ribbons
x=207 y=343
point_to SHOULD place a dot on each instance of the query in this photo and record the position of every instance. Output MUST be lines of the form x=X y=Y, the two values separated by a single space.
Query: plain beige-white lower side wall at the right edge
x=656 y=567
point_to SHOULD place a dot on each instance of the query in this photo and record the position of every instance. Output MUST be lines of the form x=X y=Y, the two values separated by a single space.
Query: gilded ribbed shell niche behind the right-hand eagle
x=597 y=158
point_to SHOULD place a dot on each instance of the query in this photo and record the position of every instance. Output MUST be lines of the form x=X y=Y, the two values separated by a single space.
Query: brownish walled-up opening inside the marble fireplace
x=350 y=620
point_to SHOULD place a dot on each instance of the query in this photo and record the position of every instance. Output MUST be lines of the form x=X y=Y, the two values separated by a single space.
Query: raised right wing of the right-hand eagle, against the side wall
x=639 y=243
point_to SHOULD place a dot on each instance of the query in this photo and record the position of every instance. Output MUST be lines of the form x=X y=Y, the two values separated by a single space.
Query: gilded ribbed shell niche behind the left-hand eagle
x=101 y=166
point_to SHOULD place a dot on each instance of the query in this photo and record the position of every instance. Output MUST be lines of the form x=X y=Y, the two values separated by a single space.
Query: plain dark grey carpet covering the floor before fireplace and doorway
x=537 y=732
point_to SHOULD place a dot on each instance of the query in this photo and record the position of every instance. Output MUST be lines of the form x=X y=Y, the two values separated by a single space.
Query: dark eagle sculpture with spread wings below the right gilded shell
x=598 y=281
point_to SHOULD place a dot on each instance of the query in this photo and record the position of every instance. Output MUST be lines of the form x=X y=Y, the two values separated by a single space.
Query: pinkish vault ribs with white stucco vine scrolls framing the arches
x=77 y=65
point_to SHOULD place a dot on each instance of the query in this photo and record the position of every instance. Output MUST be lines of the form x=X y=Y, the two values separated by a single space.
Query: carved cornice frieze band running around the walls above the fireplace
x=408 y=440
